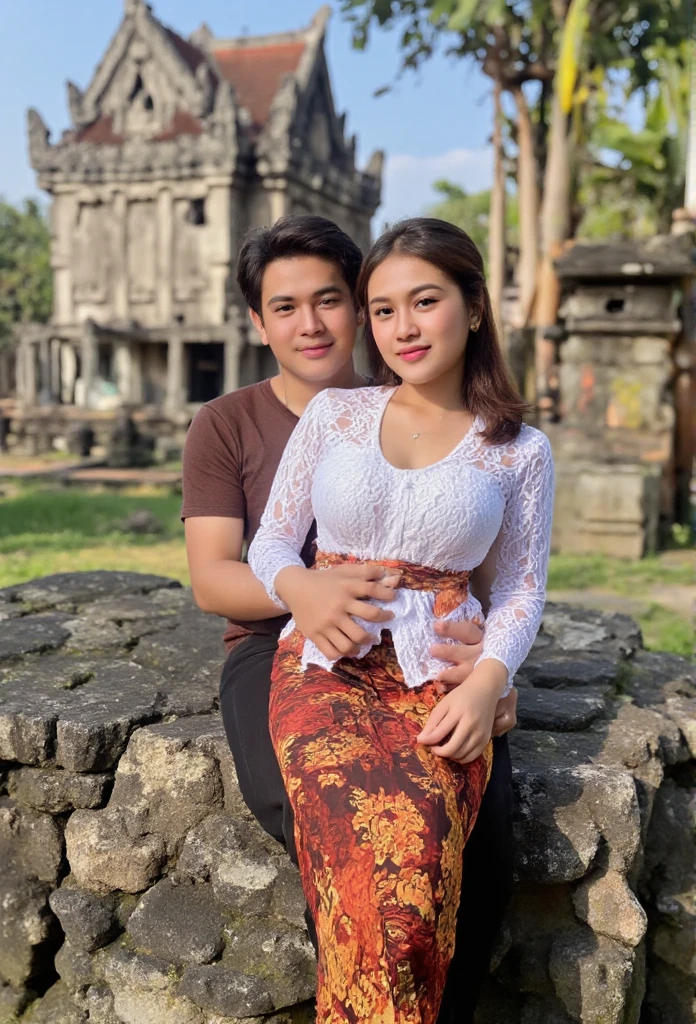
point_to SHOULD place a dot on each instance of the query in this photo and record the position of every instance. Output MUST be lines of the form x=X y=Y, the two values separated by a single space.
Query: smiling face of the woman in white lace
x=419 y=318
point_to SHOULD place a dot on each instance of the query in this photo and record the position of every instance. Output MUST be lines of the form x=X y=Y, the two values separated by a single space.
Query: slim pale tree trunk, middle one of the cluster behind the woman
x=529 y=206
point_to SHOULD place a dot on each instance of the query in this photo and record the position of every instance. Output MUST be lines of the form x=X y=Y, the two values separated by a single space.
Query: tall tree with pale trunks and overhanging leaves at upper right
x=568 y=47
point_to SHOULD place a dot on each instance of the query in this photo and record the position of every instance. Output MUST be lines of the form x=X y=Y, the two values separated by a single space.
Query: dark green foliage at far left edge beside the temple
x=26 y=282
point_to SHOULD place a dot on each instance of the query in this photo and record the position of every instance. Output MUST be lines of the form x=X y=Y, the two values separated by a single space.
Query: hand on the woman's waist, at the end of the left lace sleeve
x=323 y=604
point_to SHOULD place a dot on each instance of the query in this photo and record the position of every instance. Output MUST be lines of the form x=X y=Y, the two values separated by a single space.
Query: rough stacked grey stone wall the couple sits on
x=137 y=889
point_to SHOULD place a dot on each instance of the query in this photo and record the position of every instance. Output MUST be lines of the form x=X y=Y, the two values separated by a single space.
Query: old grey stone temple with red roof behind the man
x=178 y=148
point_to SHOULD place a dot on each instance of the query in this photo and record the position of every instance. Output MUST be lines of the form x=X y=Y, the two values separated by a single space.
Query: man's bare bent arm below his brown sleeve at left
x=223 y=584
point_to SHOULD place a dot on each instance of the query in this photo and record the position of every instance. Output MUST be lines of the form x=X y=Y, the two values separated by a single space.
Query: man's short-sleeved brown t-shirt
x=233 y=450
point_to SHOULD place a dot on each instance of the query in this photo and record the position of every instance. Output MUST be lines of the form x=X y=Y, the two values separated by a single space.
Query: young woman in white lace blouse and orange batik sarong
x=431 y=476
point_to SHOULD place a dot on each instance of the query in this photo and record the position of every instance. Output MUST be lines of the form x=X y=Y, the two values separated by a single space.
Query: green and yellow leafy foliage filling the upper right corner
x=626 y=182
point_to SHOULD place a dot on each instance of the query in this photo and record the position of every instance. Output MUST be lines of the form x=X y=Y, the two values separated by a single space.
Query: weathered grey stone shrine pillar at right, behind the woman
x=624 y=444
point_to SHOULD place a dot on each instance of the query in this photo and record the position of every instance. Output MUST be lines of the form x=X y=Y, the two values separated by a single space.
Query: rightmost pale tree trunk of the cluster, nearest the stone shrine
x=555 y=223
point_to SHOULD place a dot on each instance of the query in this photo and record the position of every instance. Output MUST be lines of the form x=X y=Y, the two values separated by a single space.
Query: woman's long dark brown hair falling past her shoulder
x=488 y=389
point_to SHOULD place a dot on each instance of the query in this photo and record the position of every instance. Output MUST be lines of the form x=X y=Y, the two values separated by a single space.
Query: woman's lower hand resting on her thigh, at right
x=462 y=724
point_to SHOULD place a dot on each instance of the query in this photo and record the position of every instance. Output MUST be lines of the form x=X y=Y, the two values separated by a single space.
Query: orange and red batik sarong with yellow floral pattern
x=380 y=823
